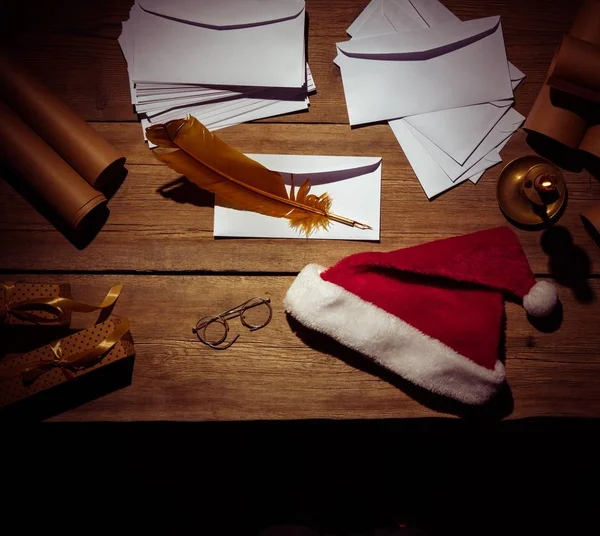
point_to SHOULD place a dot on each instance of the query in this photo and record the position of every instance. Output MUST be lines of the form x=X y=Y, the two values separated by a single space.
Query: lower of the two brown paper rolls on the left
x=44 y=171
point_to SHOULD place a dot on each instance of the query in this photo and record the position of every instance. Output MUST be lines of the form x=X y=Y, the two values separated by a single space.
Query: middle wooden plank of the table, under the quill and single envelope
x=171 y=232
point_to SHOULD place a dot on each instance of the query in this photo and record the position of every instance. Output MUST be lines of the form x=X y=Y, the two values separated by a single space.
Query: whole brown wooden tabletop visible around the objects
x=174 y=271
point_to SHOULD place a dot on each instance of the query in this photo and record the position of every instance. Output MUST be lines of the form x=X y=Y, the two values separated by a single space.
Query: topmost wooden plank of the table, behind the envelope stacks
x=72 y=47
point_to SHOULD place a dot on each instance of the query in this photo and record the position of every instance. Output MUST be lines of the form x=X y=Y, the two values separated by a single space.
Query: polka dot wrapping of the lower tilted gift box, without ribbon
x=14 y=388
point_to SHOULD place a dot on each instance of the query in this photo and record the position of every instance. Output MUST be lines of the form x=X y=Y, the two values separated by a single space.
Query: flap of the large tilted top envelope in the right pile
x=421 y=44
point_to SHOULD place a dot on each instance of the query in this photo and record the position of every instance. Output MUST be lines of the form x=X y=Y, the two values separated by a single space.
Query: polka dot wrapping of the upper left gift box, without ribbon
x=12 y=293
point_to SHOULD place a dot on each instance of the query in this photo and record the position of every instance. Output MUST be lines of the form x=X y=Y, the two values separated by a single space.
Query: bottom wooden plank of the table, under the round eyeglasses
x=275 y=374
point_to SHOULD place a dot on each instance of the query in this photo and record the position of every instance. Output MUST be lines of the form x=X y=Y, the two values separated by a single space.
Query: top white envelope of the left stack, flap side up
x=229 y=43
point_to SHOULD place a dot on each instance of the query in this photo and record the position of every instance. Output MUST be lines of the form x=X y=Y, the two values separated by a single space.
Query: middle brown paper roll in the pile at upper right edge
x=577 y=69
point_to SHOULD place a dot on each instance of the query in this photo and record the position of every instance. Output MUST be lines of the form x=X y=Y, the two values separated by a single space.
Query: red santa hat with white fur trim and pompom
x=431 y=313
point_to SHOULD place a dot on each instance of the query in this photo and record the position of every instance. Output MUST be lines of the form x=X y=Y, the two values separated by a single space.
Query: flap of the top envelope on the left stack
x=225 y=14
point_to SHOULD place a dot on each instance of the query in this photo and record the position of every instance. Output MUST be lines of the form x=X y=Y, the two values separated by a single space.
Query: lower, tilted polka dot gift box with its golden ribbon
x=65 y=361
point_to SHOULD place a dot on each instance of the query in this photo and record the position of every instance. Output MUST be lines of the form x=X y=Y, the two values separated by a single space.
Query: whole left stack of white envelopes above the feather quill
x=225 y=62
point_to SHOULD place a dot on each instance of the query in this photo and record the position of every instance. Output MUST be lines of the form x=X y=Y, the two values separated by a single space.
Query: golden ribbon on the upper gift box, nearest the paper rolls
x=58 y=306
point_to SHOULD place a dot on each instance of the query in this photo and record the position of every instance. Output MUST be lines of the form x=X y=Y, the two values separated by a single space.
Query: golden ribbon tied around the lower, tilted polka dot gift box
x=68 y=364
